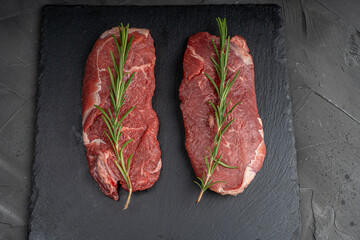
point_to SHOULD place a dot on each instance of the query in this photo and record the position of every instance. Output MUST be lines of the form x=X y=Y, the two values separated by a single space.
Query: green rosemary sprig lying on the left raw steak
x=117 y=94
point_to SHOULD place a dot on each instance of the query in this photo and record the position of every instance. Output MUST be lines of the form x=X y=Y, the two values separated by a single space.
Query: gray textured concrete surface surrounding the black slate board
x=323 y=50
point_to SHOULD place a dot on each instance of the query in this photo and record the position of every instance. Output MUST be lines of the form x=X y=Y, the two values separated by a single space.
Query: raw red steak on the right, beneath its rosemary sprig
x=242 y=145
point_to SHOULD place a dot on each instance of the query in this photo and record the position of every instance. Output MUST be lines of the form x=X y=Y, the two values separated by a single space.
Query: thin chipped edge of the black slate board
x=34 y=190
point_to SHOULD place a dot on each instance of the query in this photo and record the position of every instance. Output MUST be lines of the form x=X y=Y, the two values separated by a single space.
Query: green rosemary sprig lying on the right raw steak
x=213 y=160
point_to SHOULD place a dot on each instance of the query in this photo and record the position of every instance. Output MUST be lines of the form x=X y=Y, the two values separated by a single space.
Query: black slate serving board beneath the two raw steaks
x=66 y=201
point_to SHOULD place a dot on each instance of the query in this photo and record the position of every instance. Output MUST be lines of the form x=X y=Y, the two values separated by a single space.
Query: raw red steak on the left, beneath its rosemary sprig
x=141 y=124
